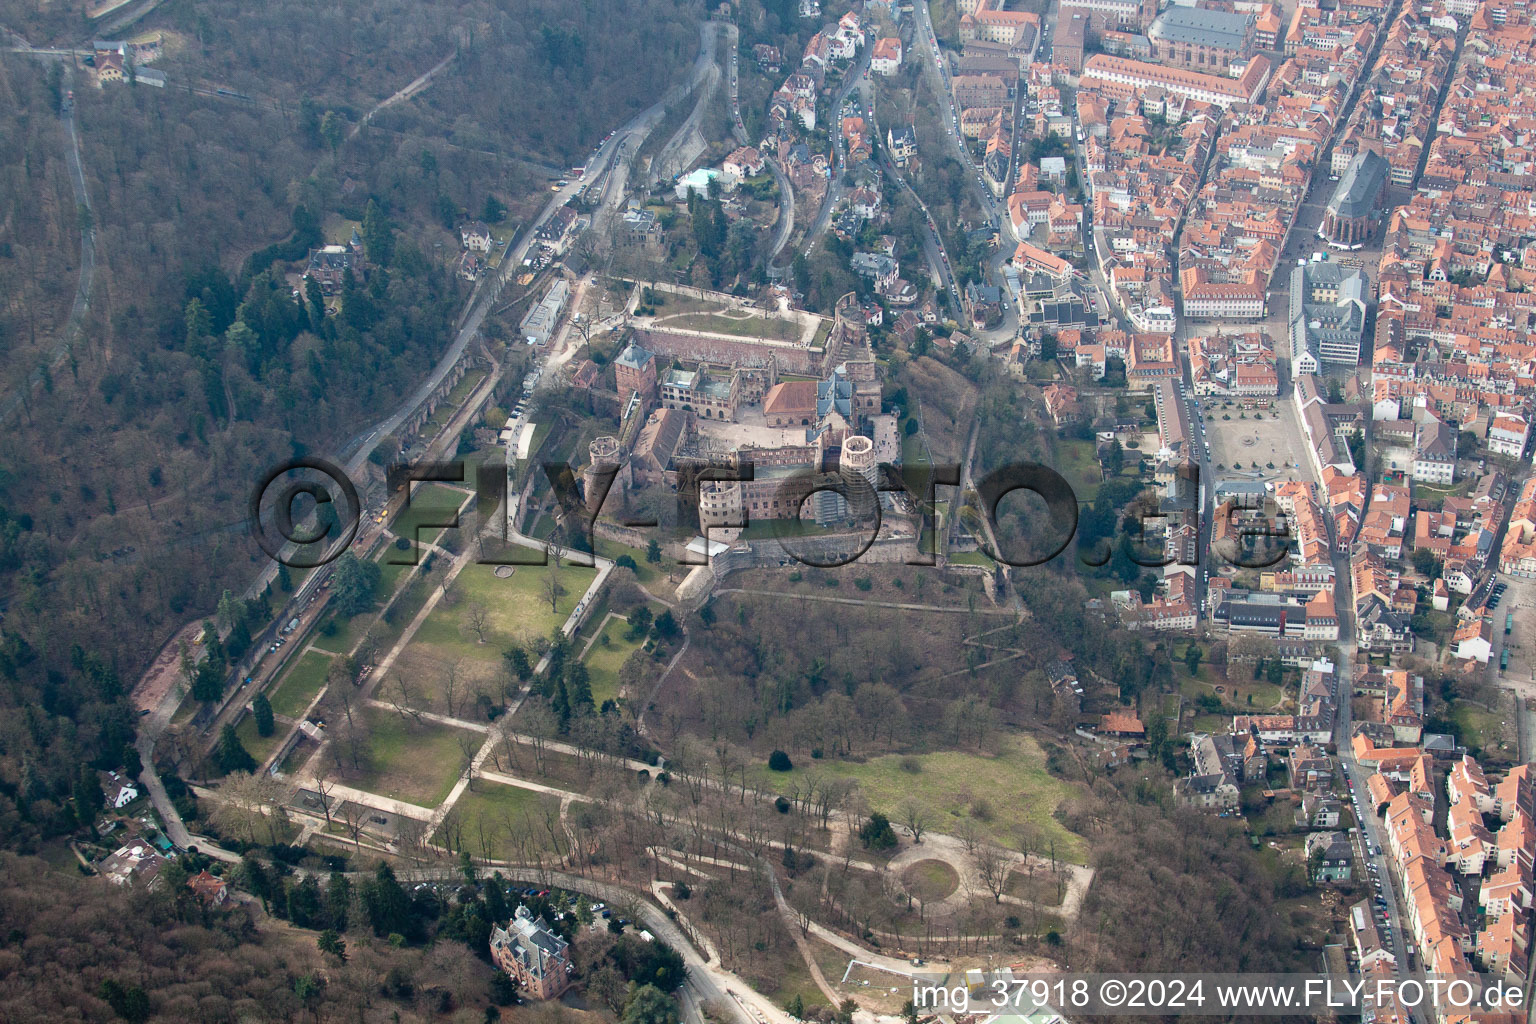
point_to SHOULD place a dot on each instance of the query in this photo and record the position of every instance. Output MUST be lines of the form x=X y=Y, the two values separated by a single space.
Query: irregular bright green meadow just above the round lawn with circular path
x=1016 y=787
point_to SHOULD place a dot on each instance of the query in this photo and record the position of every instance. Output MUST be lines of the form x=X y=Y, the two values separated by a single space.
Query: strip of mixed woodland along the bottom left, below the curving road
x=354 y=948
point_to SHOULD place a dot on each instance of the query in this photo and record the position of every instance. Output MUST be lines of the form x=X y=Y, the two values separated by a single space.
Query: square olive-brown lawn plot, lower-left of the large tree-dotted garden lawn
x=417 y=764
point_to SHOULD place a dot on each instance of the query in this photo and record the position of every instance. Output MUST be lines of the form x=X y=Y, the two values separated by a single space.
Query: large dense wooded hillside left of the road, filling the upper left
x=202 y=360
